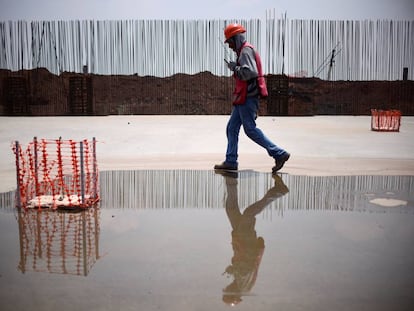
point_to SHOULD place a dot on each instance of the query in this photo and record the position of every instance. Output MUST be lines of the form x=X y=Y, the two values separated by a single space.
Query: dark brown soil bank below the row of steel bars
x=38 y=92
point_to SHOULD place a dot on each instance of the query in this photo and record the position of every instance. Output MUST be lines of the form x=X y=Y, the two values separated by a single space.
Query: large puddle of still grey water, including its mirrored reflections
x=198 y=240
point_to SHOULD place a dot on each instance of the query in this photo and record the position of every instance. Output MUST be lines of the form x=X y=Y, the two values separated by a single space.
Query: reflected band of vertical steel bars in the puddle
x=204 y=189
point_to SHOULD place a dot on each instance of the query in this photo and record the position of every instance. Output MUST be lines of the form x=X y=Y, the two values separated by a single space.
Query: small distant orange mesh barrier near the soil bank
x=385 y=120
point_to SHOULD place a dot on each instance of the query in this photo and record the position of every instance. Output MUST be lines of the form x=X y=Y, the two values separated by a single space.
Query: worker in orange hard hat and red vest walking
x=249 y=87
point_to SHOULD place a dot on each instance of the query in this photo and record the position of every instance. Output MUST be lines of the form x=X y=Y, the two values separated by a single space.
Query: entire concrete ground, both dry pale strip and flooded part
x=169 y=231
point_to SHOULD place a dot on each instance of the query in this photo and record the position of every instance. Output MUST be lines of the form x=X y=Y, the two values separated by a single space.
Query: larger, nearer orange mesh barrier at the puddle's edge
x=56 y=173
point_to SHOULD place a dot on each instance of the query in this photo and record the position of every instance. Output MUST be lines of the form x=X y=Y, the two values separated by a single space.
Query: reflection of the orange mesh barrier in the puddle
x=58 y=242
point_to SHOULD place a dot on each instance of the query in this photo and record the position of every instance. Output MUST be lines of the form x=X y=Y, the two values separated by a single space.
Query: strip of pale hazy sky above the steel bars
x=206 y=9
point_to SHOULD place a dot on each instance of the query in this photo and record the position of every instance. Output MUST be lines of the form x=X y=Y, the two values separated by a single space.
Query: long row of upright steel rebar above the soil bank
x=372 y=50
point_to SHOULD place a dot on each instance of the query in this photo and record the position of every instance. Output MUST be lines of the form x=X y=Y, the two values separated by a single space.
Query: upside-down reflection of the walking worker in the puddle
x=248 y=248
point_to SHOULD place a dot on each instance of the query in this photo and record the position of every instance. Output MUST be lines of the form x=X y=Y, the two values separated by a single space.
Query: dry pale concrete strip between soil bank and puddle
x=320 y=145
